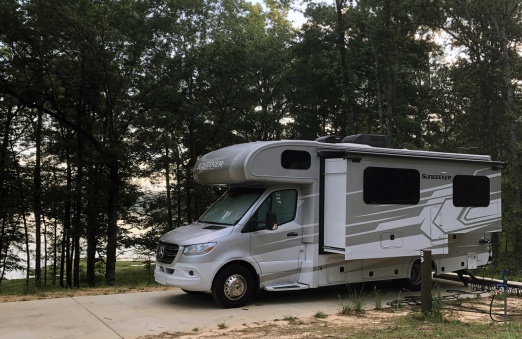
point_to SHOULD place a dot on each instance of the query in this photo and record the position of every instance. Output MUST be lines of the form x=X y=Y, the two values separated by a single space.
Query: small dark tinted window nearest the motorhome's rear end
x=470 y=191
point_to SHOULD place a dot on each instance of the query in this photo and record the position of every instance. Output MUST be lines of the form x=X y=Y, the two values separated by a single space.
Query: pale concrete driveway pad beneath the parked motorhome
x=149 y=313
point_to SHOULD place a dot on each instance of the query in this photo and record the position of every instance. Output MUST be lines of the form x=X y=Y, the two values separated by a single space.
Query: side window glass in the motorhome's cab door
x=283 y=203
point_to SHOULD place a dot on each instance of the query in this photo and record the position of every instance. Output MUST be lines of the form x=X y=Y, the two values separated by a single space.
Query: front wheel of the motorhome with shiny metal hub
x=233 y=286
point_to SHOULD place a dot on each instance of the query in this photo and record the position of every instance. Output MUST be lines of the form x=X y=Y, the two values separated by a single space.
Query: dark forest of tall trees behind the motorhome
x=105 y=105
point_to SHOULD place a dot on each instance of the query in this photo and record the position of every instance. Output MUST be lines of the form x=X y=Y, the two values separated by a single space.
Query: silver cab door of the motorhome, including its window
x=276 y=251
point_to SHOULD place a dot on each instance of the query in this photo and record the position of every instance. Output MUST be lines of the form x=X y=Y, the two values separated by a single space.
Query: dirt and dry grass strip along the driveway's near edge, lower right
x=469 y=311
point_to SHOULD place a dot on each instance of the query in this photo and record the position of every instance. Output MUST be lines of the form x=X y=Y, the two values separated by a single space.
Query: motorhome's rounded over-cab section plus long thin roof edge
x=261 y=161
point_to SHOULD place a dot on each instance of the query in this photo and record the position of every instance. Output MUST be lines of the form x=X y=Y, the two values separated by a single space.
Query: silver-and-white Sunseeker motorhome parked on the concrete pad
x=306 y=214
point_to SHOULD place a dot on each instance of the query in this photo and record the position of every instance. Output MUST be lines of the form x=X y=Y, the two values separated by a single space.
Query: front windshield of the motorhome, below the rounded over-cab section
x=231 y=206
